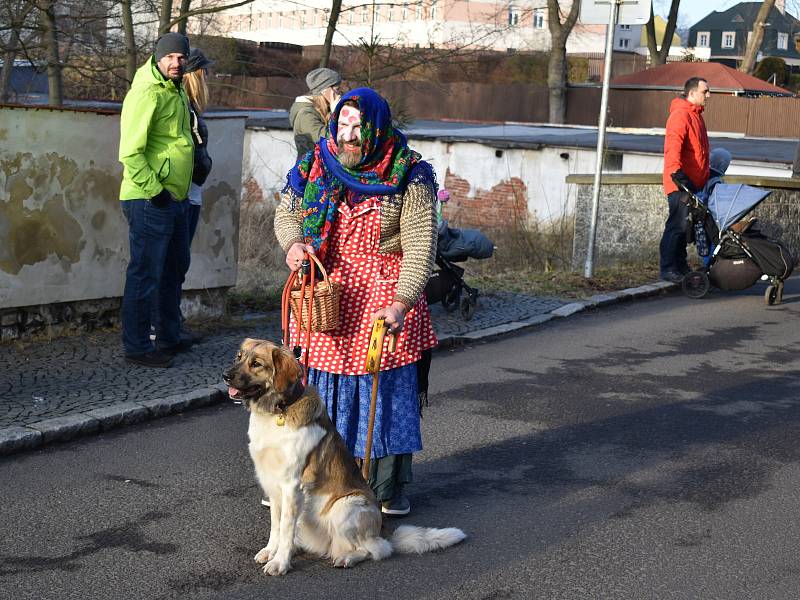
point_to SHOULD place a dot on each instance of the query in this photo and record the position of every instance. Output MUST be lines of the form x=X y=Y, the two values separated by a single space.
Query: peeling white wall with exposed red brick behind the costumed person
x=490 y=187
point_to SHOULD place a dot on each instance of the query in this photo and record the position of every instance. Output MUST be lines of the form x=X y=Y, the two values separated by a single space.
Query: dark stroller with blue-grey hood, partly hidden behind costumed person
x=446 y=284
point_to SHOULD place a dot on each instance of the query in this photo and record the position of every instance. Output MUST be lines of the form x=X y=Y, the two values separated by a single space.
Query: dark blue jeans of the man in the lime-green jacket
x=159 y=244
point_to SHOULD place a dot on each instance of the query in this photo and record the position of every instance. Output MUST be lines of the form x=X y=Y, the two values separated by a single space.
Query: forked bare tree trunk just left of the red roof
x=557 y=63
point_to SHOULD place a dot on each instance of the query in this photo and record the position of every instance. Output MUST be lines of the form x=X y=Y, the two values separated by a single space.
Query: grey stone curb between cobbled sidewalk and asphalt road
x=15 y=439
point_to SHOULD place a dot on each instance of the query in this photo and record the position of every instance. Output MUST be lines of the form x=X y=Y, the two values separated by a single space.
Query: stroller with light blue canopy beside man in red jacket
x=741 y=254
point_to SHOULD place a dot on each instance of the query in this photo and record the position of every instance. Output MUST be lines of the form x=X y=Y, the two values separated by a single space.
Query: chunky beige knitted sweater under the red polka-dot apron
x=408 y=225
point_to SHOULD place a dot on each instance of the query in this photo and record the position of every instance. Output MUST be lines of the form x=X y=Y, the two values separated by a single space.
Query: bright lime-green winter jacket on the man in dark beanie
x=155 y=143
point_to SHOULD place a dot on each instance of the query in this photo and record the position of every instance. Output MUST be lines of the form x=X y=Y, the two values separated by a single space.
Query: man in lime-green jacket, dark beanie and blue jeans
x=157 y=152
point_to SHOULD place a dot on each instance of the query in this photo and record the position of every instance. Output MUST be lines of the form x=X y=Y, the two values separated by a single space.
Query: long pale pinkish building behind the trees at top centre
x=498 y=25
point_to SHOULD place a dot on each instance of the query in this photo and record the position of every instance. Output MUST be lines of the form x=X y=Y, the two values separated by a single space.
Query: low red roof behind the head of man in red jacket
x=720 y=78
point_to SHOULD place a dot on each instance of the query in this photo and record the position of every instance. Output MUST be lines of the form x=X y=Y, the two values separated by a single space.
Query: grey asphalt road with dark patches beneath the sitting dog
x=647 y=450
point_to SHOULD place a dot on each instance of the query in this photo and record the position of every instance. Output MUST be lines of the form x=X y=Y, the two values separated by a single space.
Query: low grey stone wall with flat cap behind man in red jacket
x=633 y=210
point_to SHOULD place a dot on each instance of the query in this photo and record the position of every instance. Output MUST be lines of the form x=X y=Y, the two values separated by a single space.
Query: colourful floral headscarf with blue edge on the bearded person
x=386 y=167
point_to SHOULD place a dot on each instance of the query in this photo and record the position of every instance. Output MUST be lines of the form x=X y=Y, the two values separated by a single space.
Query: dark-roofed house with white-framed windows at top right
x=722 y=36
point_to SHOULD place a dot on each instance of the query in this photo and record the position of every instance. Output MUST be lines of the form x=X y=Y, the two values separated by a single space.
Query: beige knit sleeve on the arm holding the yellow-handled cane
x=418 y=240
